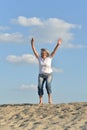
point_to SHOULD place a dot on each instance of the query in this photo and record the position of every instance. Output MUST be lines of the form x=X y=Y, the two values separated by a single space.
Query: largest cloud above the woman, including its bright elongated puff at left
x=49 y=30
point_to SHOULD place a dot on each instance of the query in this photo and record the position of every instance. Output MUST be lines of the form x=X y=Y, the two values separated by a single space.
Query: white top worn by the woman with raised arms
x=45 y=65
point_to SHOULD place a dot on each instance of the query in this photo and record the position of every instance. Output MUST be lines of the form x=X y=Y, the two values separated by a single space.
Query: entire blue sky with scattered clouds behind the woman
x=46 y=21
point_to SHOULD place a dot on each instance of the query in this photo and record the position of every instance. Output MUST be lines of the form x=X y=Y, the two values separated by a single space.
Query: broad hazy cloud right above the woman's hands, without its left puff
x=52 y=29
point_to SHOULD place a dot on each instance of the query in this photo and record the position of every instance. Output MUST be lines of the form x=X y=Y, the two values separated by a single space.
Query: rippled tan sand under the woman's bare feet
x=71 y=116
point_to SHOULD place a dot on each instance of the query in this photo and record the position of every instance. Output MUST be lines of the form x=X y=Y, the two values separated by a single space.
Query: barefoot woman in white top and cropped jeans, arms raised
x=45 y=69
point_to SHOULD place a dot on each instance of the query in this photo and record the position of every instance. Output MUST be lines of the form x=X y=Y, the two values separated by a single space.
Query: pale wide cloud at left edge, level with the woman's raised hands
x=11 y=38
